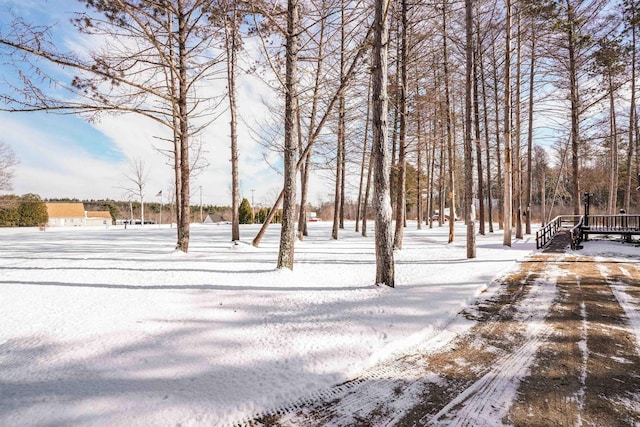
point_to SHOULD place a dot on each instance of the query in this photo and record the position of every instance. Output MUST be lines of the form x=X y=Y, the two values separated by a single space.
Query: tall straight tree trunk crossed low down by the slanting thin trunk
x=287 y=234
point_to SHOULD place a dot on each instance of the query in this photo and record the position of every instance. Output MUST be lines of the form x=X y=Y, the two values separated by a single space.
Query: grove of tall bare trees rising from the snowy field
x=506 y=125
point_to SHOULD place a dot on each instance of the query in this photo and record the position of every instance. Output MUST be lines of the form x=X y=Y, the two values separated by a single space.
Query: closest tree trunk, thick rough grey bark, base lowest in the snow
x=382 y=198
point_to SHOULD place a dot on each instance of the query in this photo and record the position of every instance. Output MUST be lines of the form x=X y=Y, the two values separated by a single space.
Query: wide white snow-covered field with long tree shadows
x=112 y=327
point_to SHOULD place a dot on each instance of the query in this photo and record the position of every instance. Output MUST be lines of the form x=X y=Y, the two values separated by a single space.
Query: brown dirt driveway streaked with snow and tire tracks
x=557 y=345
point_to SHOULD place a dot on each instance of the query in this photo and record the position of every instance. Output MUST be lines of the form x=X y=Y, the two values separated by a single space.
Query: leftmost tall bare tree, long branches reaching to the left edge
x=151 y=58
